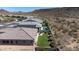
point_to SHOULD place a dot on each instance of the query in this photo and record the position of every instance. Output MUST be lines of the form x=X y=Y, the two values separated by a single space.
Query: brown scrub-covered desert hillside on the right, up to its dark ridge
x=64 y=25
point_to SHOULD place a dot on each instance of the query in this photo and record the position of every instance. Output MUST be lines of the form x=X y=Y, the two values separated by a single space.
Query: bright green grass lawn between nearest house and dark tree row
x=43 y=41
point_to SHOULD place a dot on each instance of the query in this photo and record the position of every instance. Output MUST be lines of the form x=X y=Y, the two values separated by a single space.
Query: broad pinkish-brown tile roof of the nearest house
x=18 y=33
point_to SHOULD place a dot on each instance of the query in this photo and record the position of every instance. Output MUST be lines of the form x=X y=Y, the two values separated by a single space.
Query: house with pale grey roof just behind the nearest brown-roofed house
x=33 y=23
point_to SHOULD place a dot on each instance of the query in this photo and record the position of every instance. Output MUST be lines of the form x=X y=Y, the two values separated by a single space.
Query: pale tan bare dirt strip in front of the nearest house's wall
x=16 y=48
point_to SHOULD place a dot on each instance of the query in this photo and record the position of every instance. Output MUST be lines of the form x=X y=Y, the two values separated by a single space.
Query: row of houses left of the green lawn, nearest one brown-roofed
x=21 y=32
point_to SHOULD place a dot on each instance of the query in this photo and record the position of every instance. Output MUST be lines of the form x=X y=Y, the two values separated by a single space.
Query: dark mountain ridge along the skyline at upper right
x=59 y=12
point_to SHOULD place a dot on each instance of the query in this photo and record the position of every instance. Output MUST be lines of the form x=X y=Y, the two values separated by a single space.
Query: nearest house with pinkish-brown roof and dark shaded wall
x=17 y=36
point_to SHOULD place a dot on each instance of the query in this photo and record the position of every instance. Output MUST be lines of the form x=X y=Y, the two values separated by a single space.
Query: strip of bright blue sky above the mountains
x=23 y=9
